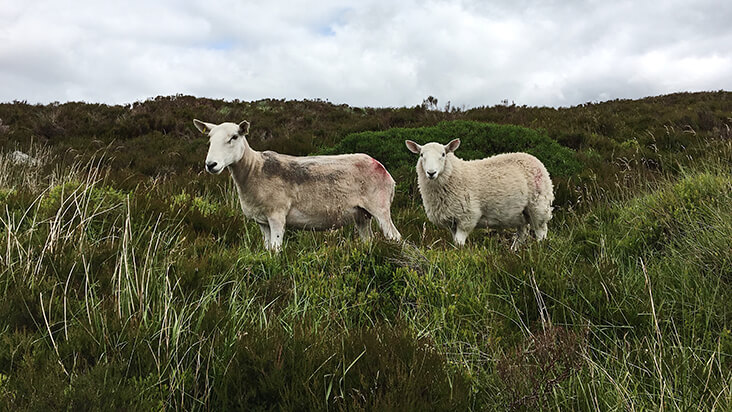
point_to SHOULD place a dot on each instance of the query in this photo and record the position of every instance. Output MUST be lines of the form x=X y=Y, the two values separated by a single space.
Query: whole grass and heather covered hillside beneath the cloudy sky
x=130 y=280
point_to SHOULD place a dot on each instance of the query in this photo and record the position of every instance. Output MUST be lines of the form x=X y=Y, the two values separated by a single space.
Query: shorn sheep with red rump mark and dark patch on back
x=312 y=192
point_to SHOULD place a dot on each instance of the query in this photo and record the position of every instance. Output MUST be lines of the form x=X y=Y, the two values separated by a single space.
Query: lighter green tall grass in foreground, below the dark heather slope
x=161 y=296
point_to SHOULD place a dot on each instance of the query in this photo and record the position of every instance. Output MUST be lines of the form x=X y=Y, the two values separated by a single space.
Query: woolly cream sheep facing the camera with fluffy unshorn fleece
x=510 y=190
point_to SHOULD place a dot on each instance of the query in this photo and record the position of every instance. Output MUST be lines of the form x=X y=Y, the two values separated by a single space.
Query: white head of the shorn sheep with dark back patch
x=227 y=144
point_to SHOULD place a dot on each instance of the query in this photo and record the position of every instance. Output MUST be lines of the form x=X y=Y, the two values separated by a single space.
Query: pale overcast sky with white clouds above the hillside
x=374 y=53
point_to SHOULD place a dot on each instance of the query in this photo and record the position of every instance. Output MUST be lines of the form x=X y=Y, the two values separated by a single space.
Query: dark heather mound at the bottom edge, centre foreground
x=382 y=368
